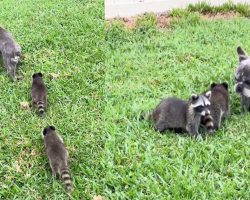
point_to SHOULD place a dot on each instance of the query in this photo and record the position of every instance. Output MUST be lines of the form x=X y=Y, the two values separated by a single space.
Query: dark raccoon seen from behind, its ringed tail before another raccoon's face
x=219 y=108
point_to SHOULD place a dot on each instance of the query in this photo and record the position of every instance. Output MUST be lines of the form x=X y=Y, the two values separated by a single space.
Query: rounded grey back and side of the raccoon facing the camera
x=172 y=110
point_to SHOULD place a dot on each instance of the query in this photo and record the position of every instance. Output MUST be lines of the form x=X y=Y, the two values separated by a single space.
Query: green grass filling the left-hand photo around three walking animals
x=65 y=38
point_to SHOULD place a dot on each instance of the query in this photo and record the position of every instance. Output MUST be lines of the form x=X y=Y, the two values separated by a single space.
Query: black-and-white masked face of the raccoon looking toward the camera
x=201 y=104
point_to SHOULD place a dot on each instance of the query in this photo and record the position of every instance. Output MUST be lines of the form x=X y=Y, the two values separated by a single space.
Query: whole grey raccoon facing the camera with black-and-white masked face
x=173 y=113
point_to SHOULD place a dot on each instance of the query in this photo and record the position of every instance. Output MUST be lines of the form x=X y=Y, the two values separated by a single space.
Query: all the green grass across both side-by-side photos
x=96 y=109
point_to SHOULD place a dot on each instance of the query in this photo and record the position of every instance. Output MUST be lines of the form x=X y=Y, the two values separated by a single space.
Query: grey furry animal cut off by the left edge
x=11 y=52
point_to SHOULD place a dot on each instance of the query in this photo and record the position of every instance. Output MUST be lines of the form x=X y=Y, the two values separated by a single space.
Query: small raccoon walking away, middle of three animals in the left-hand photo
x=39 y=93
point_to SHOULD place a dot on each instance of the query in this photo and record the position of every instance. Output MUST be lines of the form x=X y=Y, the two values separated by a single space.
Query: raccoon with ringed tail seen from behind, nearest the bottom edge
x=58 y=155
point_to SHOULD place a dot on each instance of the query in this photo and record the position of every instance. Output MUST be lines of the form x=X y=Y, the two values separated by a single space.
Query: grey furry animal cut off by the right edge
x=242 y=78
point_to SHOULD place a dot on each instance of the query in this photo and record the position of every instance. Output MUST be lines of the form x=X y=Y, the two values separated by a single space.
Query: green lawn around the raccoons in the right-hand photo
x=146 y=64
